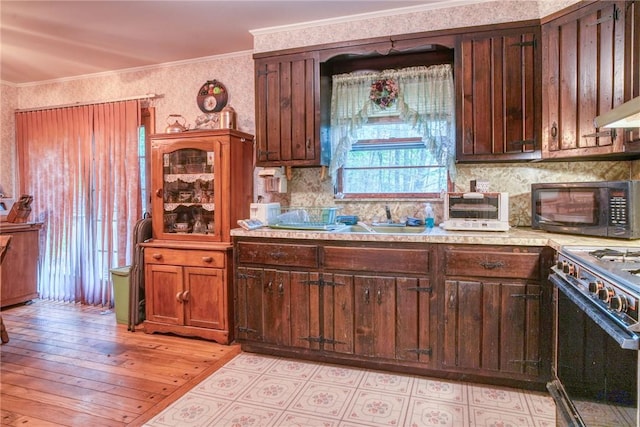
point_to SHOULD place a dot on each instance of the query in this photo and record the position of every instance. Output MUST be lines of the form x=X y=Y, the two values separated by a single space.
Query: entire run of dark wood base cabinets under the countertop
x=430 y=309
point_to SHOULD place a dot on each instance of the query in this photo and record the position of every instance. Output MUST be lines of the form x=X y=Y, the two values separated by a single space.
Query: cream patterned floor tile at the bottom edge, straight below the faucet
x=377 y=407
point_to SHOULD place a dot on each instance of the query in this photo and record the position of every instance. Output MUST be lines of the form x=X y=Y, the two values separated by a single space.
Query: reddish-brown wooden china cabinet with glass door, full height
x=201 y=185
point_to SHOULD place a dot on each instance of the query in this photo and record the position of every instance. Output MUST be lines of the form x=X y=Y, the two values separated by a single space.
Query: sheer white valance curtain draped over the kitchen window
x=425 y=99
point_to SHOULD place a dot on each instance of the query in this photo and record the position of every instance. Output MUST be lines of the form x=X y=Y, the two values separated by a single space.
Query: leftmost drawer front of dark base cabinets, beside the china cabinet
x=278 y=254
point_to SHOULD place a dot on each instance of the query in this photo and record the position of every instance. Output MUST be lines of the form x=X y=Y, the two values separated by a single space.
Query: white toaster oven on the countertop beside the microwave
x=476 y=211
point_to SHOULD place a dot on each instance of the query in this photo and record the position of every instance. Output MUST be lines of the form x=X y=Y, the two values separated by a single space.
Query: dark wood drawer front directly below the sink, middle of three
x=377 y=259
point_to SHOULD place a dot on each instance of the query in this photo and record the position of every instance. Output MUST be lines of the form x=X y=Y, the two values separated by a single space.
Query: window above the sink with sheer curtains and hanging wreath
x=393 y=133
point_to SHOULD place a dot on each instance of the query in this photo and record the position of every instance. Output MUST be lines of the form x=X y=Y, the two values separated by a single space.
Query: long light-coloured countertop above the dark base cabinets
x=515 y=236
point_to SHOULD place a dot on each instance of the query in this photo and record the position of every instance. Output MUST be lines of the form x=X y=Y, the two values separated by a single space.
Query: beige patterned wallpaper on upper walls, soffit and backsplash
x=178 y=84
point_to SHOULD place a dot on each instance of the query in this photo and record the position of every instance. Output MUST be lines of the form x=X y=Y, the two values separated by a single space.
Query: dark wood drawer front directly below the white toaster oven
x=476 y=263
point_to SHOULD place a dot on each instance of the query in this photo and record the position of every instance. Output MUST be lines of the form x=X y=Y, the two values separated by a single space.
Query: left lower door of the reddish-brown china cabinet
x=164 y=294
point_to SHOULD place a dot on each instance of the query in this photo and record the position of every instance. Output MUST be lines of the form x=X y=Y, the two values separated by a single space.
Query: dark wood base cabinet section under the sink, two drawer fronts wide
x=362 y=304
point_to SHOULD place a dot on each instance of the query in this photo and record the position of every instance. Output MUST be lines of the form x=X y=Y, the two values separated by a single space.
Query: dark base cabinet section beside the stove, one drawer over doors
x=496 y=312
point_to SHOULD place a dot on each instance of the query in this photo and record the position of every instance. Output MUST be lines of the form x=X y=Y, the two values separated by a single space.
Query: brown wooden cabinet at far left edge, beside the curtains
x=19 y=268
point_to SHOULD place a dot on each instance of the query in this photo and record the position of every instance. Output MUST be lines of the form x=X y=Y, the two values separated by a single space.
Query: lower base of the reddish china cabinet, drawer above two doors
x=187 y=292
